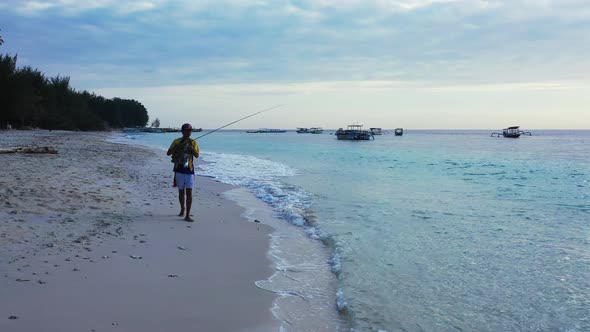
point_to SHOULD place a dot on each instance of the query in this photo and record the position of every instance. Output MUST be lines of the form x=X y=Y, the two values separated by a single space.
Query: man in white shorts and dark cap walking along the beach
x=183 y=150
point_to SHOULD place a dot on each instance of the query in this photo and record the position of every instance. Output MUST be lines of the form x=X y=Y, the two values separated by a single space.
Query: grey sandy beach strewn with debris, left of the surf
x=90 y=241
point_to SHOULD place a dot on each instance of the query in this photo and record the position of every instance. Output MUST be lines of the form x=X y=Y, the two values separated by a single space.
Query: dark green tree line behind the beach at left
x=29 y=99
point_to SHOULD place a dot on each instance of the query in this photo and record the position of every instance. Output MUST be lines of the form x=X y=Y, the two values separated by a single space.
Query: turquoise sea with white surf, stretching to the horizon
x=434 y=230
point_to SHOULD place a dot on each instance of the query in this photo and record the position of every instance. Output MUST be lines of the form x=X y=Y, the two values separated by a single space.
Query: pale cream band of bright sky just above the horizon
x=374 y=103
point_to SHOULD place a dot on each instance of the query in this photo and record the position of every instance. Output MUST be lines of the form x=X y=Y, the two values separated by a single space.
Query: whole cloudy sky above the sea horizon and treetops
x=430 y=64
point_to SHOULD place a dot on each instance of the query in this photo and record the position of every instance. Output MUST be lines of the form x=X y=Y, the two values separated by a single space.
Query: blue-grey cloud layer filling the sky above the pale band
x=162 y=42
